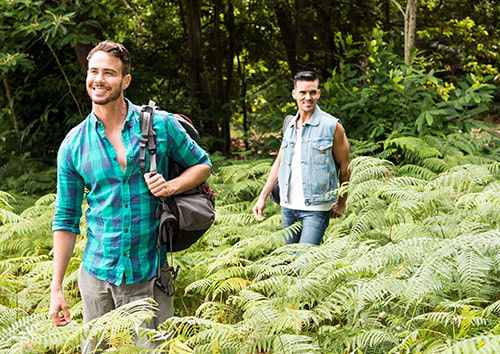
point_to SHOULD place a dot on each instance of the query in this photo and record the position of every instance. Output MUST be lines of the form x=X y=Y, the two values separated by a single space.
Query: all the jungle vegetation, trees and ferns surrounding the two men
x=412 y=266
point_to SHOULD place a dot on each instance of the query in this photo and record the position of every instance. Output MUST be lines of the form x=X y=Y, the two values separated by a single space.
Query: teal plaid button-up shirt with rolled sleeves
x=121 y=221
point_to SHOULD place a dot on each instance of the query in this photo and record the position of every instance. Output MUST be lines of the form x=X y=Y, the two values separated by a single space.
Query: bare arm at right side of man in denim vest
x=342 y=157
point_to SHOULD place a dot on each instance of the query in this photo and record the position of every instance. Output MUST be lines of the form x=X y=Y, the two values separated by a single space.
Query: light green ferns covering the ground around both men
x=412 y=266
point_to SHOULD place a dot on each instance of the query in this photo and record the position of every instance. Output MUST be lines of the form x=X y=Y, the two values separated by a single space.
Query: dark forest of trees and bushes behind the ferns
x=386 y=67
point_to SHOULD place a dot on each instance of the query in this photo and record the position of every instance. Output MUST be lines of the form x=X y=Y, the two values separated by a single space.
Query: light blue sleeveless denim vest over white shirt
x=319 y=171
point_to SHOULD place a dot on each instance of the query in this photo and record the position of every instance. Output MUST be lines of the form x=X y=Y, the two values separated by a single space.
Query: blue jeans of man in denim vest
x=314 y=224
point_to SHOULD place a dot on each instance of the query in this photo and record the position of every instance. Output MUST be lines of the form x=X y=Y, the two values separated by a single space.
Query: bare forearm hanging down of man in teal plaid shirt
x=64 y=244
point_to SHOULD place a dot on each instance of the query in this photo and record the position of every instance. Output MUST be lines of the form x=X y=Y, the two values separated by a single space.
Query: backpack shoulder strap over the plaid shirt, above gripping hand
x=148 y=137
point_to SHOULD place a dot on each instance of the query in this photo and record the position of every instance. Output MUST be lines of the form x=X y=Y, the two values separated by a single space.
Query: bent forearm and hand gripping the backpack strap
x=191 y=177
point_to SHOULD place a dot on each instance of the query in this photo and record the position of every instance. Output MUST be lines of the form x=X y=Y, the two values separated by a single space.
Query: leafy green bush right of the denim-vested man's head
x=388 y=96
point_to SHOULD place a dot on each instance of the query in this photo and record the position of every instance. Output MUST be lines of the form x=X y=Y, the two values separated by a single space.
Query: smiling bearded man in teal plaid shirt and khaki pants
x=99 y=161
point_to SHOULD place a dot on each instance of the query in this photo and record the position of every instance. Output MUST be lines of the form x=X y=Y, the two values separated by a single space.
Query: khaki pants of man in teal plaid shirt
x=100 y=297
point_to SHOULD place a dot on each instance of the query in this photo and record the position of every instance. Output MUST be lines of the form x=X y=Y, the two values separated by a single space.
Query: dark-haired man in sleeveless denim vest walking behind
x=311 y=164
